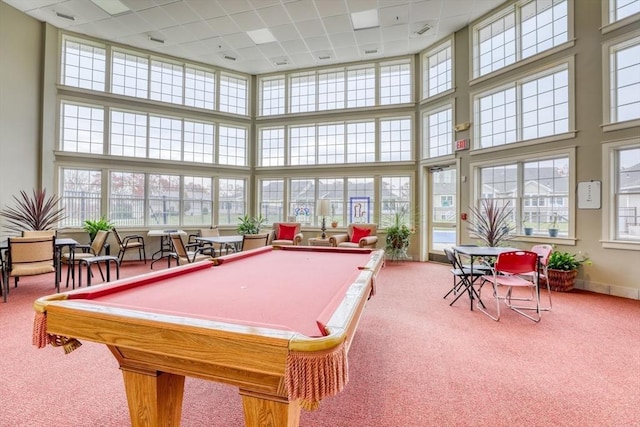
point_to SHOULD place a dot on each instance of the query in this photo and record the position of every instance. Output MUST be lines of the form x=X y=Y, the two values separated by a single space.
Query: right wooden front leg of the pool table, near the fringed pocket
x=269 y=411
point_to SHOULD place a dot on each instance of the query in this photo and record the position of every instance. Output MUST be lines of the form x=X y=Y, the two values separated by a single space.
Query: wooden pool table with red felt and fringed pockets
x=276 y=322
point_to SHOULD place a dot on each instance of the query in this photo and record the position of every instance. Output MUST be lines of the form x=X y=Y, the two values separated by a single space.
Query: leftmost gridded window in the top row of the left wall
x=83 y=64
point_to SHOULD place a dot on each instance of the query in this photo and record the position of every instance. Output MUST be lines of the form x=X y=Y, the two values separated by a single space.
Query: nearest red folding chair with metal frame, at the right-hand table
x=507 y=272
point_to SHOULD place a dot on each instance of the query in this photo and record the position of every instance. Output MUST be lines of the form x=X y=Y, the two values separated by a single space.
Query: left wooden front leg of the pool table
x=155 y=398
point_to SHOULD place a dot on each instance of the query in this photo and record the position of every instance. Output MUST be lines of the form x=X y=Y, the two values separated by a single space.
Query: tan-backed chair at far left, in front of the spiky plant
x=29 y=256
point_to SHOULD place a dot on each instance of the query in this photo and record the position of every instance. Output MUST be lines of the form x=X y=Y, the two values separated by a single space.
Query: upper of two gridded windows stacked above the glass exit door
x=437 y=70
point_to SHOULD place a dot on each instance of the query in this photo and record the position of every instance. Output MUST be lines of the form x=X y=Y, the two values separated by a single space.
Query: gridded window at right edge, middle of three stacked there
x=624 y=81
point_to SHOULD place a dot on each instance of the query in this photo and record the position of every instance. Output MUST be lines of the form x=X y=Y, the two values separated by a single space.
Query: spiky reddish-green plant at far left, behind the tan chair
x=33 y=212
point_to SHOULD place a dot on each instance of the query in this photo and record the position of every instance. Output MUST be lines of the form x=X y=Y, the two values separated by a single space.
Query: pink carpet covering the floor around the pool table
x=415 y=361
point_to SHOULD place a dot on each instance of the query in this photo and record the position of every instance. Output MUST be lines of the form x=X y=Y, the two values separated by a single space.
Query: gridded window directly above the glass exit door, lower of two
x=437 y=132
